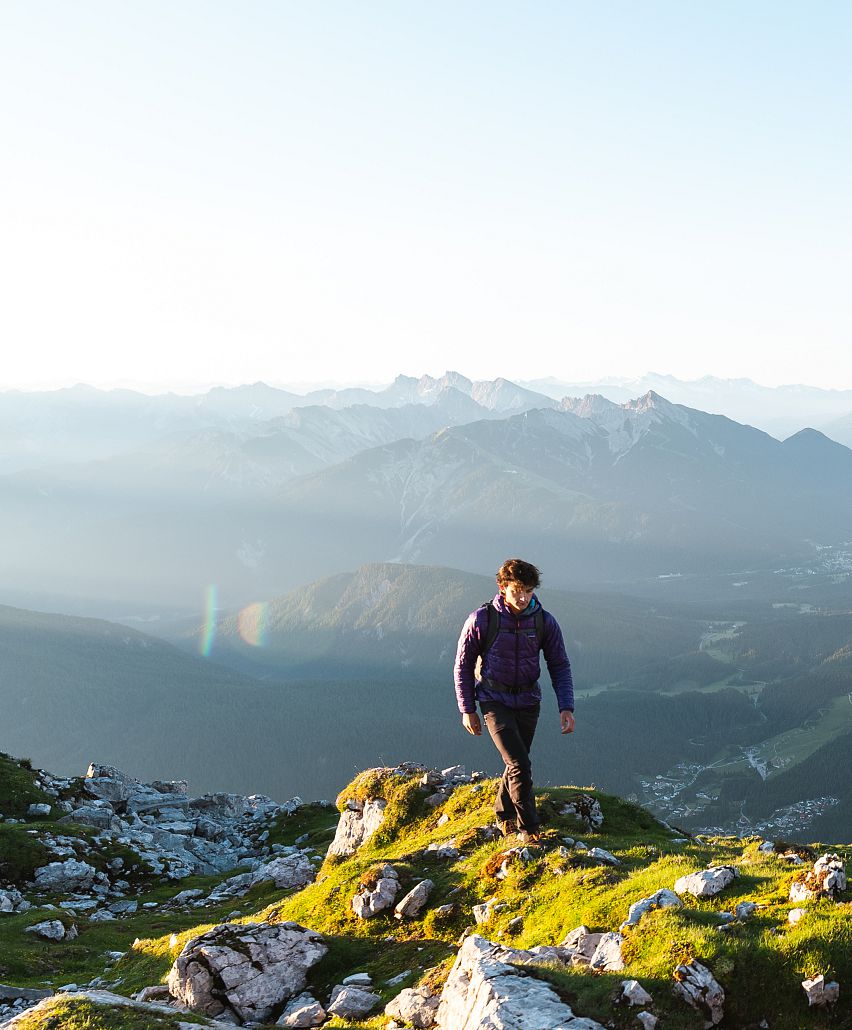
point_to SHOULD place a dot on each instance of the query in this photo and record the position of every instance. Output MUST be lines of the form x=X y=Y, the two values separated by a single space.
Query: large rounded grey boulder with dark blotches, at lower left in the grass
x=245 y=972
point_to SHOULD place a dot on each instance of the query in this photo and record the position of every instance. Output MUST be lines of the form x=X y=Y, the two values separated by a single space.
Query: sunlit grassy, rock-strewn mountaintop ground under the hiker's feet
x=401 y=906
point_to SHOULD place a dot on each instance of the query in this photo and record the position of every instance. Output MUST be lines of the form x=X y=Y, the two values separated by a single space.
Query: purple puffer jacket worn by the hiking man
x=513 y=660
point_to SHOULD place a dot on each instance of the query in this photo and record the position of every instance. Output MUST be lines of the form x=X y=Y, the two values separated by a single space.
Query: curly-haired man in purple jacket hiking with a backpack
x=498 y=664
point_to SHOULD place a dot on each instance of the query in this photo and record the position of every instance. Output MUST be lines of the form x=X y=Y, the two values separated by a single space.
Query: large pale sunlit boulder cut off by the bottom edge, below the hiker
x=484 y=990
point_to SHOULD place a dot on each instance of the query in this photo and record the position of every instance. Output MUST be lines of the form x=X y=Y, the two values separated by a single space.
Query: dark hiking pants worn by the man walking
x=513 y=732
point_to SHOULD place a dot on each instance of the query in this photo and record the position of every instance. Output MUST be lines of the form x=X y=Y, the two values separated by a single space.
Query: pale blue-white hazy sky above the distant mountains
x=203 y=192
